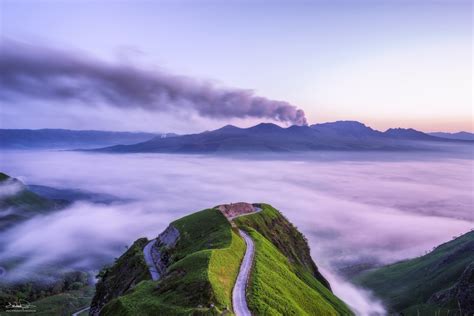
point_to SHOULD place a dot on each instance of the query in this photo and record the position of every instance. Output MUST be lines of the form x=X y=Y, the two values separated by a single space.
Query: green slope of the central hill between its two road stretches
x=204 y=266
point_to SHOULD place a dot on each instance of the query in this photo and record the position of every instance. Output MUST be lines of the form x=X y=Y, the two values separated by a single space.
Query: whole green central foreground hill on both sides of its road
x=199 y=270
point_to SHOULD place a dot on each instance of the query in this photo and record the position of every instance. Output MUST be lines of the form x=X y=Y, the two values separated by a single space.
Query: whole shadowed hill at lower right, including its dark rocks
x=439 y=282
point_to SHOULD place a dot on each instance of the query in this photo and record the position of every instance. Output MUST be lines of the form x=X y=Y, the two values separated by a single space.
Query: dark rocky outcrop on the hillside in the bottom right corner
x=462 y=293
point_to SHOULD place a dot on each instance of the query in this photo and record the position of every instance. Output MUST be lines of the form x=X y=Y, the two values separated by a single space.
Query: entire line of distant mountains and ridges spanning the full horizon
x=264 y=137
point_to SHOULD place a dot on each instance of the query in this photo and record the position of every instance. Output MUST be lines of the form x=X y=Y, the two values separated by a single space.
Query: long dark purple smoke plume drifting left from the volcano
x=40 y=73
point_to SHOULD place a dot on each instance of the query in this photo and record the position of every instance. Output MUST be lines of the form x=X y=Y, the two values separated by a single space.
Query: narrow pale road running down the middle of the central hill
x=238 y=294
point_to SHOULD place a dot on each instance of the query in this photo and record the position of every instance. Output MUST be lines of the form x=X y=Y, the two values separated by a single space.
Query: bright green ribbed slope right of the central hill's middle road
x=284 y=279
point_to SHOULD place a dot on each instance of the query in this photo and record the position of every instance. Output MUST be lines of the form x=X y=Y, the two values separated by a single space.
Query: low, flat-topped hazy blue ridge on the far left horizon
x=67 y=139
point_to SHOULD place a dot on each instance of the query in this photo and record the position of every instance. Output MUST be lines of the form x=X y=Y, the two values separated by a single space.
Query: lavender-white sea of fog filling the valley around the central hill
x=352 y=207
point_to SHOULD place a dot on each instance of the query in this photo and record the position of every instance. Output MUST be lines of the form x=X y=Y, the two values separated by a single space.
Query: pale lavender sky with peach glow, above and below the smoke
x=386 y=63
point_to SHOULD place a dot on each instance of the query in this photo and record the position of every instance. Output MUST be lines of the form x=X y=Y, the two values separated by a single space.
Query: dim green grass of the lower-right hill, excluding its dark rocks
x=408 y=285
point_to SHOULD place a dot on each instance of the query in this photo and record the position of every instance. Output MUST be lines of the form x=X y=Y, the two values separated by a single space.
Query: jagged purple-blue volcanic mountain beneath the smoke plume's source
x=266 y=137
